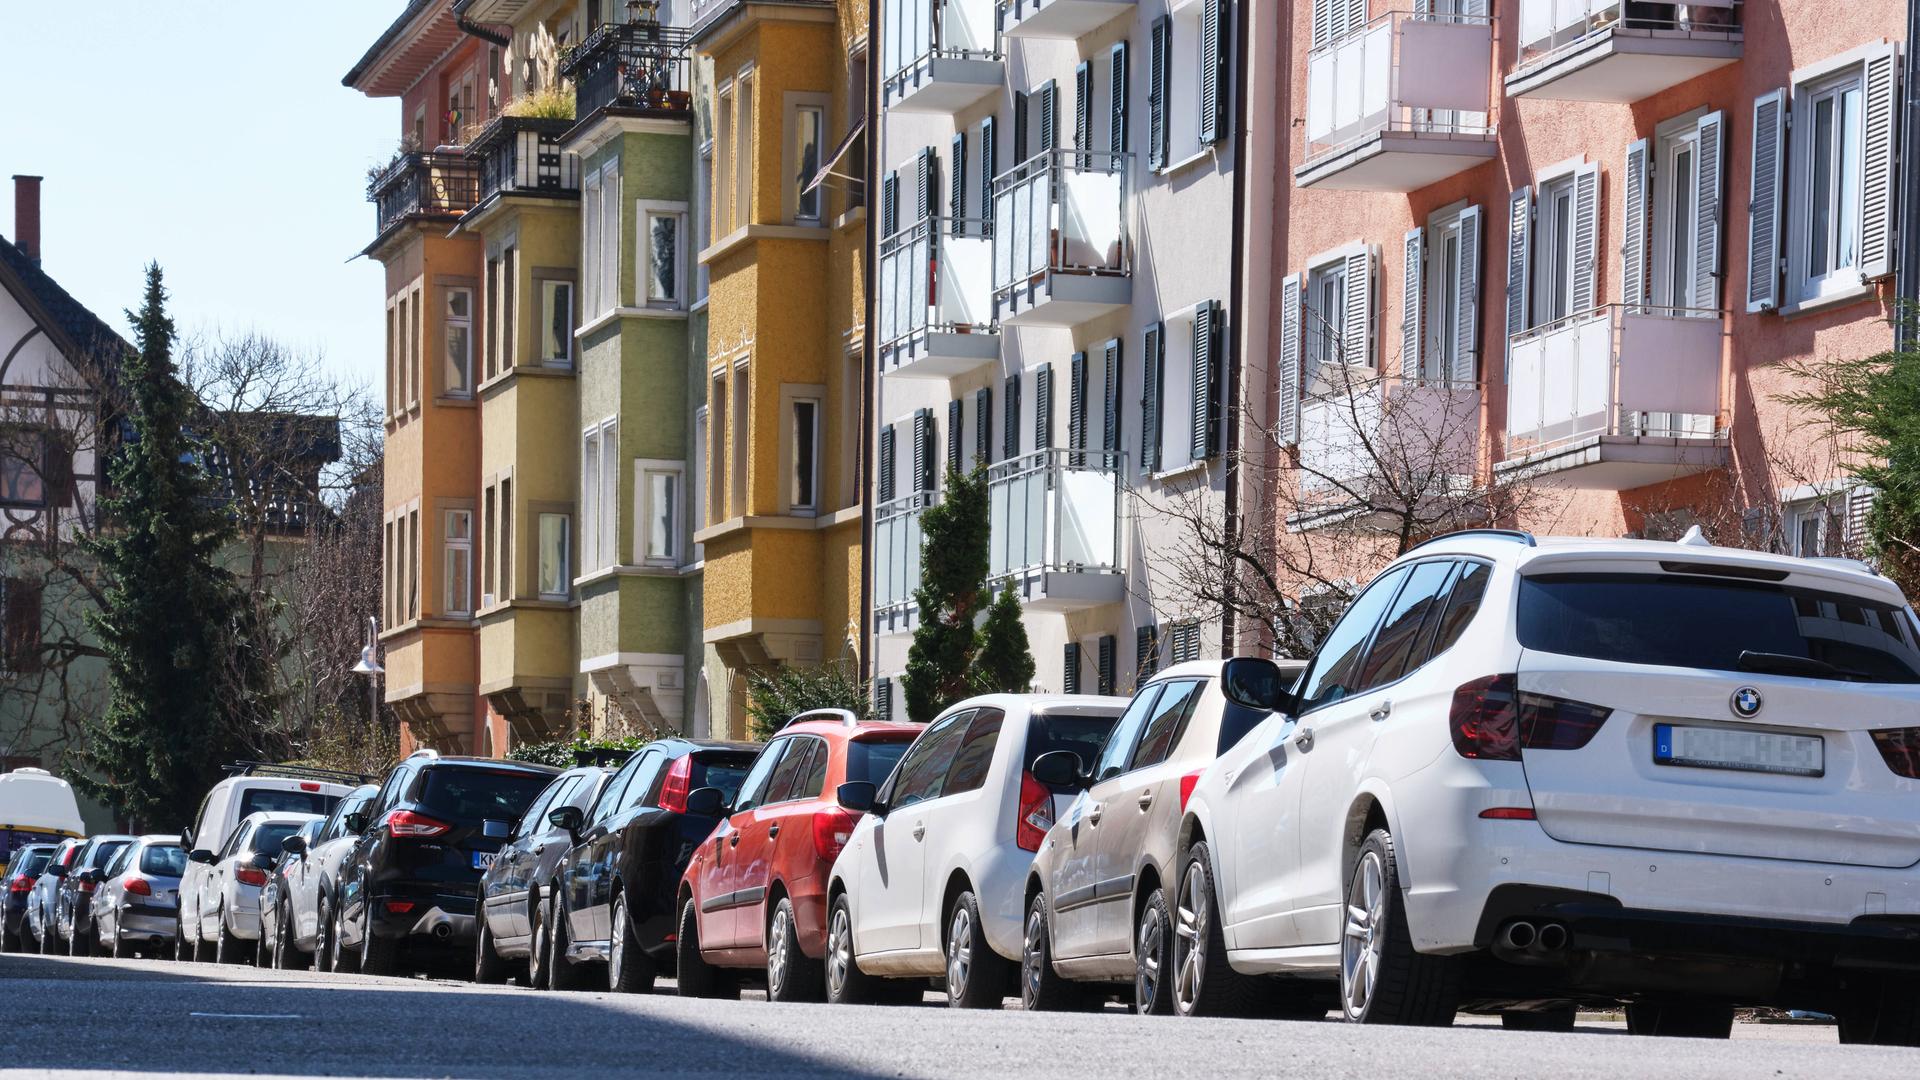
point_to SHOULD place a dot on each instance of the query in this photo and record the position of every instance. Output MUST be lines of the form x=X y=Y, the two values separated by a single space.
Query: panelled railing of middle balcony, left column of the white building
x=936 y=280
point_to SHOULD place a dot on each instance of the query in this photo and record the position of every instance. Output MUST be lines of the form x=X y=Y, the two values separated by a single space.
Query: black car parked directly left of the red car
x=613 y=896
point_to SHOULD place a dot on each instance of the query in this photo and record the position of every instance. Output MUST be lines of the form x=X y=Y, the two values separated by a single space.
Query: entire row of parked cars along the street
x=1518 y=777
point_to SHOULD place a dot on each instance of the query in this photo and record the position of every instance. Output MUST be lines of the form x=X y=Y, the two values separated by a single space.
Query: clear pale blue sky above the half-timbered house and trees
x=214 y=137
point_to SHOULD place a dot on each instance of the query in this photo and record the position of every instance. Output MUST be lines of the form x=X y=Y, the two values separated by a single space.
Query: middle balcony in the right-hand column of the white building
x=1061 y=245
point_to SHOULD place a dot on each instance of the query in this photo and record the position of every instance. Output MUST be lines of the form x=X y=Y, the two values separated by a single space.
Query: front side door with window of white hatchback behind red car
x=894 y=864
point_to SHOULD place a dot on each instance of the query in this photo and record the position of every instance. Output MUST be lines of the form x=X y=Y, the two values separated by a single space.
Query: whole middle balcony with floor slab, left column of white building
x=936 y=301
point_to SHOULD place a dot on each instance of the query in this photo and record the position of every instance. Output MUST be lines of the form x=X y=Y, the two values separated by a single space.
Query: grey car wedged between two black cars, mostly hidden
x=533 y=854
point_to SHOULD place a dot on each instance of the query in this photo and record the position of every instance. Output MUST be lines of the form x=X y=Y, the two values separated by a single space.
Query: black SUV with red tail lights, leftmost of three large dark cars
x=414 y=871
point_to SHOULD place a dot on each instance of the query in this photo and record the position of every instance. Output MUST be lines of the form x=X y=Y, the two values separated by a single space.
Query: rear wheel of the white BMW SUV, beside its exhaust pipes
x=1383 y=979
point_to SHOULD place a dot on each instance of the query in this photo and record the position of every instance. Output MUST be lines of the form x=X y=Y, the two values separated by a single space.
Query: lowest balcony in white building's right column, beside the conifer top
x=1057 y=528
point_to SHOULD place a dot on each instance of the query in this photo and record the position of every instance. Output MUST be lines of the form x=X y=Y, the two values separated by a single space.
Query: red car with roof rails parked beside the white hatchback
x=756 y=893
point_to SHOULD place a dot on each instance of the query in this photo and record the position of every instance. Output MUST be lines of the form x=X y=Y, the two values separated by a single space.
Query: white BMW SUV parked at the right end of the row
x=1525 y=775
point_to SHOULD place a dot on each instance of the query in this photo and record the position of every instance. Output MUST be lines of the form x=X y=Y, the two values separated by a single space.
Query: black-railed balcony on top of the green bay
x=638 y=70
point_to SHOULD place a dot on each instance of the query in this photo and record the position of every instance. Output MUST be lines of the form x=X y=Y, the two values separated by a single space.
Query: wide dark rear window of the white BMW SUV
x=1708 y=624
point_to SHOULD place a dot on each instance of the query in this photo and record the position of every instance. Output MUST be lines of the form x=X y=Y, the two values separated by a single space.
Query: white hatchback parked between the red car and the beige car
x=932 y=879
